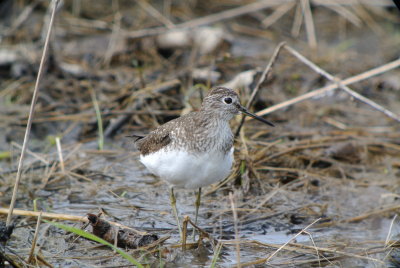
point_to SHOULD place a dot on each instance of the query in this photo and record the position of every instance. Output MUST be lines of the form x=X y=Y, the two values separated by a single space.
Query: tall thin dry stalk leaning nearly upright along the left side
x=31 y=111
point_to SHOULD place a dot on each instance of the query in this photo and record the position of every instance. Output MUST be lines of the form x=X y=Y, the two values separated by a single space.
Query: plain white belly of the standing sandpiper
x=190 y=171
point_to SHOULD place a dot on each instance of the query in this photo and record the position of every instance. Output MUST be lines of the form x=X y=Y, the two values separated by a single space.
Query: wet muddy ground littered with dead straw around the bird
x=321 y=189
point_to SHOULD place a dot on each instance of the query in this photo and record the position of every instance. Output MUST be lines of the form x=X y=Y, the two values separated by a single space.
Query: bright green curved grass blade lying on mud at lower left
x=97 y=239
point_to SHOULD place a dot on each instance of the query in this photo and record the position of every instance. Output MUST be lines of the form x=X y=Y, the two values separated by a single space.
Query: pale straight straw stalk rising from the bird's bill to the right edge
x=321 y=91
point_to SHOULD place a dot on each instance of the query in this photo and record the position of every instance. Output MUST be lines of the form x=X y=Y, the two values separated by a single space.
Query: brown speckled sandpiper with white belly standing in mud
x=196 y=149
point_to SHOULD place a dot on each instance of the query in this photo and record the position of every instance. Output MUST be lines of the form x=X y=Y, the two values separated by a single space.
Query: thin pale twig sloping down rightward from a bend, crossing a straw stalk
x=341 y=85
